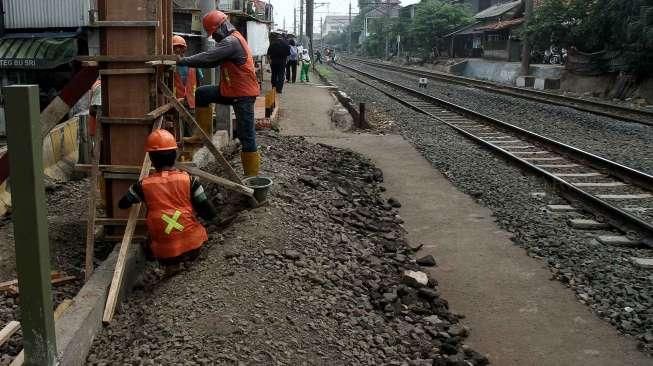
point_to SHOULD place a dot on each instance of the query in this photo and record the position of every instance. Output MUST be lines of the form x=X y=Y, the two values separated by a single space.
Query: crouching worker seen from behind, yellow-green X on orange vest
x=172 y=198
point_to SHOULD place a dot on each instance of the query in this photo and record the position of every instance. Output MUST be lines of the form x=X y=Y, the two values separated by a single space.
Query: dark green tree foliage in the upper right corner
x=624 y=27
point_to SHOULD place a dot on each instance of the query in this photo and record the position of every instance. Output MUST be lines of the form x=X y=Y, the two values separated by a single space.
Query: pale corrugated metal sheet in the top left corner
x=46 y=13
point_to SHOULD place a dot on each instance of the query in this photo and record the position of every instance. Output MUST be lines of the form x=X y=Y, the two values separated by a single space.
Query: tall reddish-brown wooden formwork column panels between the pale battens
x=130 y=95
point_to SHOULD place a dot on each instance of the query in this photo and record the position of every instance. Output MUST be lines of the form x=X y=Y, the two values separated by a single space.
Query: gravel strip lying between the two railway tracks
x=628 y=143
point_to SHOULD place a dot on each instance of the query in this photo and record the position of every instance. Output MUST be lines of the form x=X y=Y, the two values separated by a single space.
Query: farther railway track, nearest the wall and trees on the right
x=611 y=110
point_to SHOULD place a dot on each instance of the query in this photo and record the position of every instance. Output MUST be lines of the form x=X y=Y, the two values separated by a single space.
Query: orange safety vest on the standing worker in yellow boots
x=239 y=80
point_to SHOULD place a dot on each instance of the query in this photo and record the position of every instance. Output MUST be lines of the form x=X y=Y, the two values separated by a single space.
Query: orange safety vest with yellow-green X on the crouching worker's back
x=171 y=222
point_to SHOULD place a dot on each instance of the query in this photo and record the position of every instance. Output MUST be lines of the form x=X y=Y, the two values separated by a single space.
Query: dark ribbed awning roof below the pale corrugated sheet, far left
x=36 y=52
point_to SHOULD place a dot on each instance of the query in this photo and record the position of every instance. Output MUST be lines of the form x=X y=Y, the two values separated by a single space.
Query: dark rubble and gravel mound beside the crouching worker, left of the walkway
x=317 y=277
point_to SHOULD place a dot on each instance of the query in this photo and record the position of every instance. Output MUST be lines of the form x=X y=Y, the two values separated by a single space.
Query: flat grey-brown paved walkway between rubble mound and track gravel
x=517 y=315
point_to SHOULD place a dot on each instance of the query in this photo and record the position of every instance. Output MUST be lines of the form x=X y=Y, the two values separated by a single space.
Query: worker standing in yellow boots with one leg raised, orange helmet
x=239 y=85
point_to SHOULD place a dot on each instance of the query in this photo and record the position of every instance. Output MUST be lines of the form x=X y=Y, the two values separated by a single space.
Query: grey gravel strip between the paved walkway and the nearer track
x=603 y=277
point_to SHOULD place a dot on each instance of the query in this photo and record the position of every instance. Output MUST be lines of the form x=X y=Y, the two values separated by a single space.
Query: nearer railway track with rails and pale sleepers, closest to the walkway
x=616 y=194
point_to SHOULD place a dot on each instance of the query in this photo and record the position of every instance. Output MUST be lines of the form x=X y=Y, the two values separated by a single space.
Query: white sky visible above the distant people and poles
x=285 y=9
